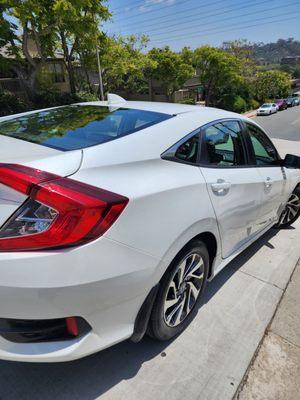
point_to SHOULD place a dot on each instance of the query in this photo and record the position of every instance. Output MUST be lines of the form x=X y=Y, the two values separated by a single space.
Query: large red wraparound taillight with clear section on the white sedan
x=60 y=212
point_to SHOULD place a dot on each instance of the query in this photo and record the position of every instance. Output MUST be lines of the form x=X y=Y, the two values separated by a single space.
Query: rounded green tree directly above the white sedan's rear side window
x=219 y=73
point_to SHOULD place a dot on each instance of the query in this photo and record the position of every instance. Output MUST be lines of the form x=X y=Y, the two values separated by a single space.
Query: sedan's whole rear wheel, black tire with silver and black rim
x=178 y=300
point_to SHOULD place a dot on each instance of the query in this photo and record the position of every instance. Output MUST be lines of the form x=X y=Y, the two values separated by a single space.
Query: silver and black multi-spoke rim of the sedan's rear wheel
x=184 y=289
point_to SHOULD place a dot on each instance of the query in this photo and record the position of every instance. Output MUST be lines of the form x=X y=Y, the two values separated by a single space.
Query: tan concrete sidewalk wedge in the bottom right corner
x=275 y=370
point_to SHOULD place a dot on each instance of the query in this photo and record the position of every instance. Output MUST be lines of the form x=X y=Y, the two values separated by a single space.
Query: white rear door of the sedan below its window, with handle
x=237 y=204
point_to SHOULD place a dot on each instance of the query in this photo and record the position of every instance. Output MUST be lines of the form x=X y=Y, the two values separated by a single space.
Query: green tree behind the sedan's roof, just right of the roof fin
x=170 y=69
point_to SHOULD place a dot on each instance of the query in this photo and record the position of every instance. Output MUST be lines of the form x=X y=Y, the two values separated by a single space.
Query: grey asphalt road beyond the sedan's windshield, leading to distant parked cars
x=283 y=125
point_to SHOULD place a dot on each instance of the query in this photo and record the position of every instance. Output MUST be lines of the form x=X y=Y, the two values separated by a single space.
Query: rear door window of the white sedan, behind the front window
x=223 y=144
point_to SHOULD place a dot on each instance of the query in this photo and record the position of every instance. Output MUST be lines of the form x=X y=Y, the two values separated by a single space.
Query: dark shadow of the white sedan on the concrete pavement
x=89 y=378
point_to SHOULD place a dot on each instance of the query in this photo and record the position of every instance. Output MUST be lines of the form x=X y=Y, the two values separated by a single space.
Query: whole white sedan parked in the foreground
x=114 y=215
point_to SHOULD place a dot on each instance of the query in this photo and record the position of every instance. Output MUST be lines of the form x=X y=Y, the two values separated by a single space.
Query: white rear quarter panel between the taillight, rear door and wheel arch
x=169 y=205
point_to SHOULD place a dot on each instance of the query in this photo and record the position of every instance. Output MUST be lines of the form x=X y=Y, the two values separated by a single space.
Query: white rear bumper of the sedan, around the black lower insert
x=107 y=291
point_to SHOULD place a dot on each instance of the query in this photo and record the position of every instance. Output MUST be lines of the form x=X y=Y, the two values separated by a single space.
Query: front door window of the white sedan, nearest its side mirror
x=263 y=149
